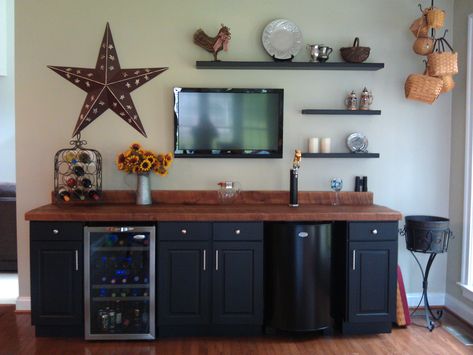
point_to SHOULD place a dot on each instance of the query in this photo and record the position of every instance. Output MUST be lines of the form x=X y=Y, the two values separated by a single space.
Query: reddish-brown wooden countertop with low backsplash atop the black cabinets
x=204 y=206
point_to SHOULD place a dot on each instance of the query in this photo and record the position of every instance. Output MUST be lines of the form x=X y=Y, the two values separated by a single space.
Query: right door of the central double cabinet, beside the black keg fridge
x=238 y=283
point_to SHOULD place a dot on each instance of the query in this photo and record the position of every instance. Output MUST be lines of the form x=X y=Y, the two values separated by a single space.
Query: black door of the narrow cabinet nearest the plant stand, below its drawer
x=372 y=281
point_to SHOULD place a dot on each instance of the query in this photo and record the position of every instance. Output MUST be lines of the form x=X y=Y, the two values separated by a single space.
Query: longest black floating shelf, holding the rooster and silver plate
x=288 y=65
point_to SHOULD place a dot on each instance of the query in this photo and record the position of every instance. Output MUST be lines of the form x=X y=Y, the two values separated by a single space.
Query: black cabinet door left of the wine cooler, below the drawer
x=57 y=291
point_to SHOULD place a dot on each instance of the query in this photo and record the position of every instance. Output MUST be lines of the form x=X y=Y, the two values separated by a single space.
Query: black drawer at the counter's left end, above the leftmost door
x=56 y=231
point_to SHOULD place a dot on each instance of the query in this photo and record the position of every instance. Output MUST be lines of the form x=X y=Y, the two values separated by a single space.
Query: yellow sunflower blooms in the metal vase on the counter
x=140 y=161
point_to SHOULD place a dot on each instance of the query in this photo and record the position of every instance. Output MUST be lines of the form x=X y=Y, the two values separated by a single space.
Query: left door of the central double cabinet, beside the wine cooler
x=183 y=283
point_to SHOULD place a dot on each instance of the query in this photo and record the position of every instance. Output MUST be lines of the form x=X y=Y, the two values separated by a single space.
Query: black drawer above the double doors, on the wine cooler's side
x=184 y=230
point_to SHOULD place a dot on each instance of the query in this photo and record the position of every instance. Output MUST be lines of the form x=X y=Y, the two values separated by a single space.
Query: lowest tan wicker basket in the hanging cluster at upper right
x=423 y=88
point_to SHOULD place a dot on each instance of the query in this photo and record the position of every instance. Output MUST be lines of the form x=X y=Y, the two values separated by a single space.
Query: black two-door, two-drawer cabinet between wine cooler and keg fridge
x=210 y=275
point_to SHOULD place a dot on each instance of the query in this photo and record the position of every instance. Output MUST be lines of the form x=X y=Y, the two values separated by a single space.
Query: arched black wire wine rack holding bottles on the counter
x=77 y=173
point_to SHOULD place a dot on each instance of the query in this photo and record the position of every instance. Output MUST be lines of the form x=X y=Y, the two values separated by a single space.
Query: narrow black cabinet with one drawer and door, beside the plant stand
x=370 y=277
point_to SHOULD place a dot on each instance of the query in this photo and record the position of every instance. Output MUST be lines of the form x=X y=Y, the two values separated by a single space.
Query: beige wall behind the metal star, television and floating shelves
x=412 y=174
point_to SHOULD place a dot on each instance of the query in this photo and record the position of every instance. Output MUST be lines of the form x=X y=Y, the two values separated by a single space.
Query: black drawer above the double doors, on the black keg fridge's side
x=238 y=231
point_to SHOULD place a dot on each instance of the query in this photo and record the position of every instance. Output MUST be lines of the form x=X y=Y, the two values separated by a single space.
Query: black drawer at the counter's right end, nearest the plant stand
x=372 y=231
